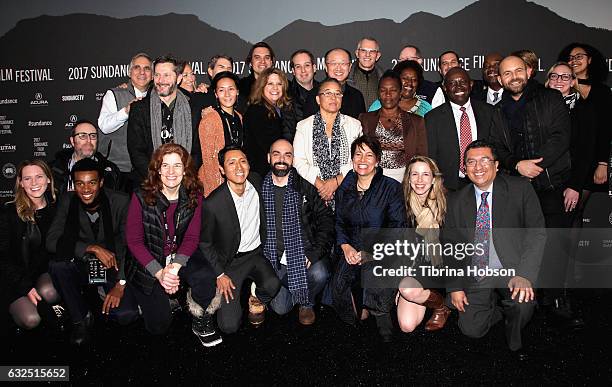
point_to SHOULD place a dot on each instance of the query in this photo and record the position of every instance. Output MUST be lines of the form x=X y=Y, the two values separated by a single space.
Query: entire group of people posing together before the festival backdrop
x=265 y=186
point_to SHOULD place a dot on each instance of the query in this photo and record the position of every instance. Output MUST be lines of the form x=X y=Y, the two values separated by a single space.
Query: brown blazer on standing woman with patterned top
x=415 y=135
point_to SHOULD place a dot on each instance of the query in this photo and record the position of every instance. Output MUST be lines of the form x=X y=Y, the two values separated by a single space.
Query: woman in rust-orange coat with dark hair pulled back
x=220 y=126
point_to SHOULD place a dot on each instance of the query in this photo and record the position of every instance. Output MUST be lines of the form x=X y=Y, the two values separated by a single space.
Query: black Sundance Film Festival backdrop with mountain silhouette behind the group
x=55 y=70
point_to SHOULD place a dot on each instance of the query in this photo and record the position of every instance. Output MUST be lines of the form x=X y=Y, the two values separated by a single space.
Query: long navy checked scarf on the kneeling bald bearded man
x=292 y=237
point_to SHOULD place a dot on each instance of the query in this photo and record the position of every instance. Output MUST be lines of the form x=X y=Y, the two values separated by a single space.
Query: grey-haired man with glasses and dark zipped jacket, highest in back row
x=364 y=77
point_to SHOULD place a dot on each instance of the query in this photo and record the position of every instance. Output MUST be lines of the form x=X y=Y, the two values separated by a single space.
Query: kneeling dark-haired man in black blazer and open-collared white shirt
x=233 y=229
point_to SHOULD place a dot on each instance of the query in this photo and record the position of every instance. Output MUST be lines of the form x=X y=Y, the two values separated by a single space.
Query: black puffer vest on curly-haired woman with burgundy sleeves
x=152 y=219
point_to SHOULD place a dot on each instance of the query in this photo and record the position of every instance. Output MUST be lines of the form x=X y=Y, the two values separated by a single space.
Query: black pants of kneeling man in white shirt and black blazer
x=255 y=266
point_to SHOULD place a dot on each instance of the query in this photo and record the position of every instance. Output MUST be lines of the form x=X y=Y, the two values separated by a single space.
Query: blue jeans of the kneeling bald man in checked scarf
x=316 y=276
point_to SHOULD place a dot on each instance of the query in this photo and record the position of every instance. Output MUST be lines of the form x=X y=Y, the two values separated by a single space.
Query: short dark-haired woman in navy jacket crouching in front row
x=366 y=199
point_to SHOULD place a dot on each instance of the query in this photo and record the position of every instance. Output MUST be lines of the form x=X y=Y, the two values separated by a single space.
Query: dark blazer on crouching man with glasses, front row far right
x=516 y=213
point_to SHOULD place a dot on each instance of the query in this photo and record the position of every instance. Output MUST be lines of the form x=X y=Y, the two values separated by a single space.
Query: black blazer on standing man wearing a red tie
x=442 y=139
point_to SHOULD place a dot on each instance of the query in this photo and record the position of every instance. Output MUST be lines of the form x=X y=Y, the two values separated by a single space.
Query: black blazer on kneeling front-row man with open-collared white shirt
x=220 y=231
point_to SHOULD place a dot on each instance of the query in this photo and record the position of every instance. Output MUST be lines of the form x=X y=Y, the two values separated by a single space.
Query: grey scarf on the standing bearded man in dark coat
x=181 y=120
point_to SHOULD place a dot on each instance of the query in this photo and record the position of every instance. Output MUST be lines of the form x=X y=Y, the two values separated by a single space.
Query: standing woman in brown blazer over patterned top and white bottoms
x=402 y=135
